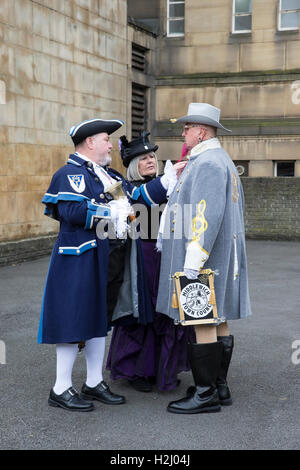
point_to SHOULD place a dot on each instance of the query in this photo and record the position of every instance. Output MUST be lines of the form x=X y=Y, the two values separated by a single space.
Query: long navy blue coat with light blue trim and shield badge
x=74 y=304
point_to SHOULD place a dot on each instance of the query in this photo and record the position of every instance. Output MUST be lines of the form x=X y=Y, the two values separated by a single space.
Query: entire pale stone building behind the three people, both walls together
x=65 y=61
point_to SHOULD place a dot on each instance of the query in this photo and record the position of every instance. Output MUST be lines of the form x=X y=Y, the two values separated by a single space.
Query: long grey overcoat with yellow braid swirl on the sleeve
x=204 y=227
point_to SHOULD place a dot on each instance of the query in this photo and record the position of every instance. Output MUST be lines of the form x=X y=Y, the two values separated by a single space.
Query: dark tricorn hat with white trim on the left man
x=85 y=129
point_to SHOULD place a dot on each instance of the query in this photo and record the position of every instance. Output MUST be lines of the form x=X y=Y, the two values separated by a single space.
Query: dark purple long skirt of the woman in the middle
x=157 y=350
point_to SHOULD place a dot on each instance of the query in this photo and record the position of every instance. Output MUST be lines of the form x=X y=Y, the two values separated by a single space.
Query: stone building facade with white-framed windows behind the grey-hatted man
x=252 y=75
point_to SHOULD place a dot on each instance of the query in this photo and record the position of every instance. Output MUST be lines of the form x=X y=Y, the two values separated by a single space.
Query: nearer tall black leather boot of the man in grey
x=205 y=360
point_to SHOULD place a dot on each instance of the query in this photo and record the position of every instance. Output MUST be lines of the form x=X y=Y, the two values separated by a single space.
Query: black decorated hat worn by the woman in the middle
x=139 y=146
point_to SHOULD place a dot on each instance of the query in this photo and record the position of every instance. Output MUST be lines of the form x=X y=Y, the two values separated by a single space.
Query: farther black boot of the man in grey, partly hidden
x=222 y=386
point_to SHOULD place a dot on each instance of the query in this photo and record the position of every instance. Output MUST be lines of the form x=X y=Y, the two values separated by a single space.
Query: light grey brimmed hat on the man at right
x=203 y=113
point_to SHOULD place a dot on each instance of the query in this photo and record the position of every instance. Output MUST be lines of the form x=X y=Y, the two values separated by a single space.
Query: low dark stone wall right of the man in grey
x=272 y=208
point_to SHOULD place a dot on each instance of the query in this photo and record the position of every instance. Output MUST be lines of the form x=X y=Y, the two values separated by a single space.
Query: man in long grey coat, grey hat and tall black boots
x=204 y=228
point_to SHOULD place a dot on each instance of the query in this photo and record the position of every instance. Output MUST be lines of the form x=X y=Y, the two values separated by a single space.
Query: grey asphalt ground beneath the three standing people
x=264 y=380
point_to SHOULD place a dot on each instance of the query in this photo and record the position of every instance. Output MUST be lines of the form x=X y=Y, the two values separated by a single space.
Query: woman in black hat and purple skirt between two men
x=154 y=353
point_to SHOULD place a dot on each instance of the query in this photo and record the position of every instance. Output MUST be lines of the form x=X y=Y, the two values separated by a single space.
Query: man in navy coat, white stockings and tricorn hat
x=86 y=271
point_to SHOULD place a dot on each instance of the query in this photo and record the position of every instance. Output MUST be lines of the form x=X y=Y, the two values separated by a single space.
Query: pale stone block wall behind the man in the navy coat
x=61 y=61
